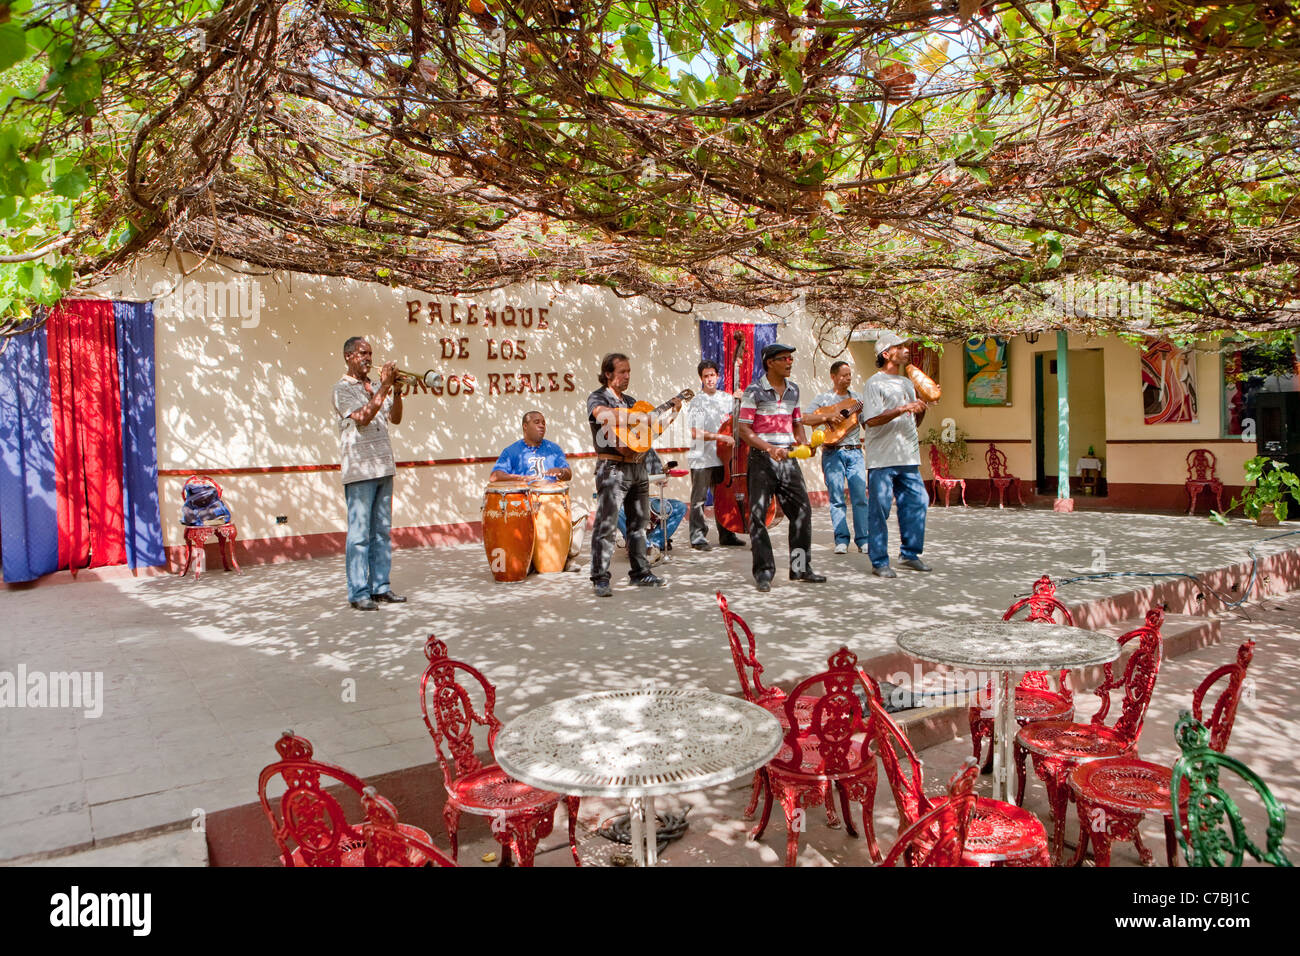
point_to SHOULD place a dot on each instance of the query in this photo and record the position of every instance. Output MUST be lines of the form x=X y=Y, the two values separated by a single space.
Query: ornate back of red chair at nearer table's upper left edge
x=450 y=713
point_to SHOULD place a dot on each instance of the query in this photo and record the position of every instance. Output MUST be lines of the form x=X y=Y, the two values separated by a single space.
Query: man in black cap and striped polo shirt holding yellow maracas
x=770 y=423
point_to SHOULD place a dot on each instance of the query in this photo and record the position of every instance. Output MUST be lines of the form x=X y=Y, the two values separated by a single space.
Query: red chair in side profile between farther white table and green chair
x=1059 y=747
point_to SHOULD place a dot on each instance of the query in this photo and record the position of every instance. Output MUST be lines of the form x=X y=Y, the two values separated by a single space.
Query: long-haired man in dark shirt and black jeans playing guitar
x=621 y=477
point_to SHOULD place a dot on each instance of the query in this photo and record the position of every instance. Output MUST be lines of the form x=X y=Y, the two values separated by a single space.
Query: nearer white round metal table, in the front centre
x=638 y=745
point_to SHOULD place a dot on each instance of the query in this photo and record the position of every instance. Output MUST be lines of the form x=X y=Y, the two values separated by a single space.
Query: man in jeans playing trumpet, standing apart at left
x=365 y=413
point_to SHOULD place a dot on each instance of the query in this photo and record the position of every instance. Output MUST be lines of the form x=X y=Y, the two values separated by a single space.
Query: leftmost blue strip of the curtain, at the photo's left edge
x=29 y=513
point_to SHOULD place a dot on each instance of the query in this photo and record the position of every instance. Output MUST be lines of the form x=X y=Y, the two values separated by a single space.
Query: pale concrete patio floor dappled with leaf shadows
x=202 y=677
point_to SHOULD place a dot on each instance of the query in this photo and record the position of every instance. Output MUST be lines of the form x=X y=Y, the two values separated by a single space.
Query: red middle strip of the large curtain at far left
x=88 y=406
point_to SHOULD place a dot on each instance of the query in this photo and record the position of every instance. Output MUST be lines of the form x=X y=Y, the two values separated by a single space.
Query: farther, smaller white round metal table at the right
x=1008 y=650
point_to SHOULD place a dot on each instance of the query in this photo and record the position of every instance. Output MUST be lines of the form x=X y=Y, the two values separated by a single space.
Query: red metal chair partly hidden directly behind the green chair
x=1113 y=795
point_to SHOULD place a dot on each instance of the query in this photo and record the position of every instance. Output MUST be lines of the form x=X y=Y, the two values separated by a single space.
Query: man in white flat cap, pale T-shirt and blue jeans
x=892 y=413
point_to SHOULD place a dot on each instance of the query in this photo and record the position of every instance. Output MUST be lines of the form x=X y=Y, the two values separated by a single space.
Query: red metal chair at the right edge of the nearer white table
x=827 y=747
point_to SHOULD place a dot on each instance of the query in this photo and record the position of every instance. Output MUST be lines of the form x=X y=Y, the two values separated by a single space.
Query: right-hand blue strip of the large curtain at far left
x=135 y=323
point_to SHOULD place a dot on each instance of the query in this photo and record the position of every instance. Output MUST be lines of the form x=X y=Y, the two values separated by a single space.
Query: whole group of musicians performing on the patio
x=746 y=452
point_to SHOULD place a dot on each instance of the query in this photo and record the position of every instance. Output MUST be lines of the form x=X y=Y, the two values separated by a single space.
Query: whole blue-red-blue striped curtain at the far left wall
x=79 y=444
